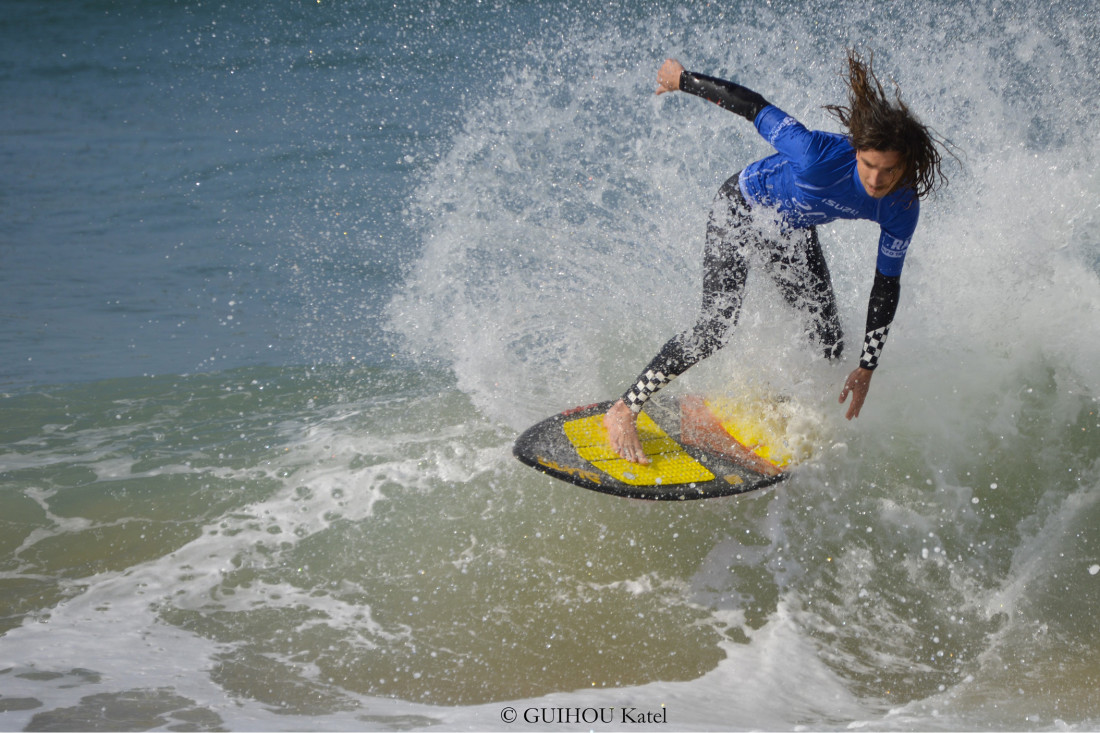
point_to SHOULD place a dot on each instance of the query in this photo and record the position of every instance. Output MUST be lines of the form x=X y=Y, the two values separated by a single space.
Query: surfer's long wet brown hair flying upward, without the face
x=875 y=123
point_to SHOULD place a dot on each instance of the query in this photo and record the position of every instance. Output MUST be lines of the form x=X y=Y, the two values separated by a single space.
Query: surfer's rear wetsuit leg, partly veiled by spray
x=804 y=278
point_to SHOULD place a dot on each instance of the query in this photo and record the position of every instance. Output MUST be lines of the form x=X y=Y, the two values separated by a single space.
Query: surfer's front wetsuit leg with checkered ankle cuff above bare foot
x=725 y=269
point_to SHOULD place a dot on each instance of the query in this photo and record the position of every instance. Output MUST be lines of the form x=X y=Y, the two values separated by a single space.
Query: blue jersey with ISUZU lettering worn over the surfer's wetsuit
x=813 y=180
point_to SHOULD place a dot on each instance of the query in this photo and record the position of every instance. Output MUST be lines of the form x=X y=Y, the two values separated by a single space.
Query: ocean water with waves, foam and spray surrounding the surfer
x=281 y=283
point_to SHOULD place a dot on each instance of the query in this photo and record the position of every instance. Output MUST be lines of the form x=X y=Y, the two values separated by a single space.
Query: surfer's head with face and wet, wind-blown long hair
x=886 y=130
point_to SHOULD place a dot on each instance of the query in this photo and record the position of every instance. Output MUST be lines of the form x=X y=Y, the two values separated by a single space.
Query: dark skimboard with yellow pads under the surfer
x=698 y=447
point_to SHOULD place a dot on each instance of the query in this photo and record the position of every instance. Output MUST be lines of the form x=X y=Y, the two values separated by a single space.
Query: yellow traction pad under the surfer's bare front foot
x=670 y=465
